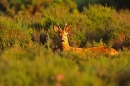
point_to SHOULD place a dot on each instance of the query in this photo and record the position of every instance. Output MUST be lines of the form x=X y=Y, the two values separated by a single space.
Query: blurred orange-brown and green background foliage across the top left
x=27 y=7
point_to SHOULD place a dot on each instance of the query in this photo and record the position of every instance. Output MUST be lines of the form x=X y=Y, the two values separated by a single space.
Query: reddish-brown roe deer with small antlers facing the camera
x=63 y=34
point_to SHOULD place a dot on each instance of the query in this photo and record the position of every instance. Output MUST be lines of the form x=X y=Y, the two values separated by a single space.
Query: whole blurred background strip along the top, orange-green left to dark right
x=33 y=6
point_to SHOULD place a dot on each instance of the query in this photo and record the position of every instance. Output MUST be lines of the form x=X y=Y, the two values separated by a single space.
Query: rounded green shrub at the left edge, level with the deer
x=12 y=33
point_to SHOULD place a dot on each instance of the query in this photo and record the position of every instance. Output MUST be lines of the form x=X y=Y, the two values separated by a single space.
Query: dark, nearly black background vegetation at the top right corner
x=118 y=4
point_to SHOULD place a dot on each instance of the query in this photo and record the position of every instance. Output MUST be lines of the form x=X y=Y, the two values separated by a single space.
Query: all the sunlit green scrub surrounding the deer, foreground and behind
x=28 y=41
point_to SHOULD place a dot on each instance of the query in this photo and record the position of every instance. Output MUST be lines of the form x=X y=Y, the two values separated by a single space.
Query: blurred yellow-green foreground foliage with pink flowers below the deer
x=19 y=67
